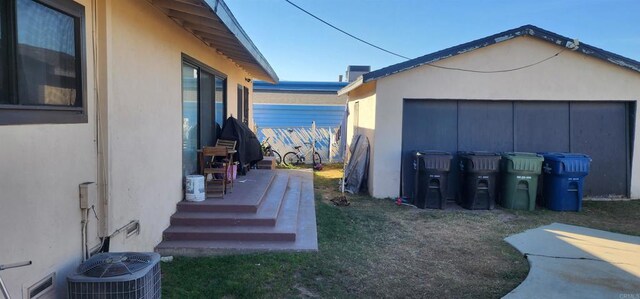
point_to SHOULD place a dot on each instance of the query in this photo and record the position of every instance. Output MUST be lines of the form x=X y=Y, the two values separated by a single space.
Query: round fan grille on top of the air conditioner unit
x=110 y=265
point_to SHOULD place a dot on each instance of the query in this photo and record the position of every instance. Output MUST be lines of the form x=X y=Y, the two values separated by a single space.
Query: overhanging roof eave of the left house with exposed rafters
x=212 y=22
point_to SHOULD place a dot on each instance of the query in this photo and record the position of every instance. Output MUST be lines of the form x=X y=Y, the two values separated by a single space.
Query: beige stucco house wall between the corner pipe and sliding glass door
x=145 y=117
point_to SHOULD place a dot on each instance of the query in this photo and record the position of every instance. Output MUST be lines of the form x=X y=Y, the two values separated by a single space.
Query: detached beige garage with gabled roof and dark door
x=526 y=89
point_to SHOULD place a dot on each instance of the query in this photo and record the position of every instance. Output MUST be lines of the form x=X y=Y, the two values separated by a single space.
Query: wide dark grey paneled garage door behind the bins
x=598 y=129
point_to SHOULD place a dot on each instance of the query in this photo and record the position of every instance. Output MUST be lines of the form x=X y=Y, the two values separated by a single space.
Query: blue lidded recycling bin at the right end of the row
x=563 y=180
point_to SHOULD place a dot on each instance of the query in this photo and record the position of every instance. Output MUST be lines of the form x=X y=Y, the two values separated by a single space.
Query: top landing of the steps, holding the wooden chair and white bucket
x=238 y=199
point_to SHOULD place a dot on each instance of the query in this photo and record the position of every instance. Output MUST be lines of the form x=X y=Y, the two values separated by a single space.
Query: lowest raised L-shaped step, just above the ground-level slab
x=284 y=230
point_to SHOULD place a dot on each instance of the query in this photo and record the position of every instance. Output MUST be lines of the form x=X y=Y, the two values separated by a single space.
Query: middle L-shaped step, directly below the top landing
x=265 y=216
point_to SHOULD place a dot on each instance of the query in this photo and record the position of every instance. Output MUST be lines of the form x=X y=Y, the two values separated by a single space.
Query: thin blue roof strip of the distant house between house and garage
x=299 y=86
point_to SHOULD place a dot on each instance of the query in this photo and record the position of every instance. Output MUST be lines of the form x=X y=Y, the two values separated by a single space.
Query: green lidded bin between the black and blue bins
x=519 y=184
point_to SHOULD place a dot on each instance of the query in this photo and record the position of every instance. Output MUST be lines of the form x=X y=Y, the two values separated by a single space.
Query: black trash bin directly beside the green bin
x=478 y=175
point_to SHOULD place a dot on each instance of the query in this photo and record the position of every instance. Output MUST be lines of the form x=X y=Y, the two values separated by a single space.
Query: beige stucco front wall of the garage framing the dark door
x=569 y=77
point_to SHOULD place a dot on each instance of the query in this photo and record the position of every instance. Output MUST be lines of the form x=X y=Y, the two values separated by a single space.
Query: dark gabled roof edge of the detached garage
x=526 y=30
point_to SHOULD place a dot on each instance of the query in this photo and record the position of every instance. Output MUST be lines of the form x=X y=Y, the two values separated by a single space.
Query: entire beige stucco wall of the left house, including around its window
x=138 y=69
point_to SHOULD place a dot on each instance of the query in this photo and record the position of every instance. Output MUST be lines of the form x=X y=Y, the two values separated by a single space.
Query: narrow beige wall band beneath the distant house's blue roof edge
x=294 y=98
